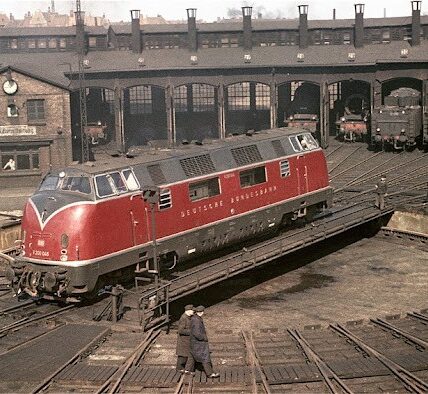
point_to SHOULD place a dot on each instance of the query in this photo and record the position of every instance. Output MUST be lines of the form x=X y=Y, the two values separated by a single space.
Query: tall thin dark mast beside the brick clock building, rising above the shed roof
x=80 y=33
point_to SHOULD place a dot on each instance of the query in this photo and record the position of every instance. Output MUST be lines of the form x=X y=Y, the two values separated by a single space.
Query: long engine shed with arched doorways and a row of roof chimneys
x=162 y=84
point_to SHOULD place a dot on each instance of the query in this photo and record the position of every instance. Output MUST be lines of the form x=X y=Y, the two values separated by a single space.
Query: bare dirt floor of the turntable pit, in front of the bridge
x=369 y=278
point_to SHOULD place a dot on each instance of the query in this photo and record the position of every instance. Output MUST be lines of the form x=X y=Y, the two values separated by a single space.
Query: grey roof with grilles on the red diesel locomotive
x=162 y=166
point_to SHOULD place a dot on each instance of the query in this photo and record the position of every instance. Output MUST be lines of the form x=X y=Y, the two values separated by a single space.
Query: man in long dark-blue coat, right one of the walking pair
x=199 y=348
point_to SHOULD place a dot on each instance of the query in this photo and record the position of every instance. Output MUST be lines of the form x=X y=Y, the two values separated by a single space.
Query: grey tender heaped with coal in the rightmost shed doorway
x=397 y=124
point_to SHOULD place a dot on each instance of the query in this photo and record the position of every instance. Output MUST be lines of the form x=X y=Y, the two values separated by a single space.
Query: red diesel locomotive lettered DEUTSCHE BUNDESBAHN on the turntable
x=86 y=222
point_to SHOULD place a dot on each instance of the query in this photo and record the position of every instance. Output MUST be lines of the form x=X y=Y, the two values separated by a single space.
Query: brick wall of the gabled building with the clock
x=52 y=134
